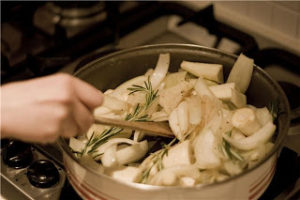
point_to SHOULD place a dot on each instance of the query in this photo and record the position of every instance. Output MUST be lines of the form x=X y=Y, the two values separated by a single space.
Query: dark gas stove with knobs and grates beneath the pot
x=40 y=38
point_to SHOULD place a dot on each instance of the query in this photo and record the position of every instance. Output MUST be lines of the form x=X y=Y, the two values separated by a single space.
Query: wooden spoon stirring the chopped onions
x=150 y=128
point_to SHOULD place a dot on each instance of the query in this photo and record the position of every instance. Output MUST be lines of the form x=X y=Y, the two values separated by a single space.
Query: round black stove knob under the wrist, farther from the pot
x=17 y=154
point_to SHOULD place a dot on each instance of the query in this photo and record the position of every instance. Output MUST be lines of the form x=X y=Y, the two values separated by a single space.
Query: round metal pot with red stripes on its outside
x=111 y=70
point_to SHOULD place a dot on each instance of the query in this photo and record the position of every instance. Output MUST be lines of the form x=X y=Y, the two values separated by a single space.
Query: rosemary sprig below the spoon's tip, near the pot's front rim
x=157 y=159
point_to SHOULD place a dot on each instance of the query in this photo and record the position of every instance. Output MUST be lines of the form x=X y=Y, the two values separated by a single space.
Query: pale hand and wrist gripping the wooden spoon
x=43 y=109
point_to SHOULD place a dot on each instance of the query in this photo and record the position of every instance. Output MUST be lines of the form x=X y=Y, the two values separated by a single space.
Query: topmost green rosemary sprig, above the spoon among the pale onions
x=147 y=89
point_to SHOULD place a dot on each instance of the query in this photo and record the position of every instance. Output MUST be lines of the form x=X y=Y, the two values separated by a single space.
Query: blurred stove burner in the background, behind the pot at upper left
x=72 y=17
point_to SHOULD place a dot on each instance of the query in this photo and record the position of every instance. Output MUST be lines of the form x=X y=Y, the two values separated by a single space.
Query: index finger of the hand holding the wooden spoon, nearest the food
x=87 y=94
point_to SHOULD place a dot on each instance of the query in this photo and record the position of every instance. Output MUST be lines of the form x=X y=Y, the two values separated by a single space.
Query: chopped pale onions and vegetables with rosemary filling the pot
x=217 y=135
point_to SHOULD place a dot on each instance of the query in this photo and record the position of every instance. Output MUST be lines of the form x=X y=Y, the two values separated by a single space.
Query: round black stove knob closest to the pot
x=42 y=174
